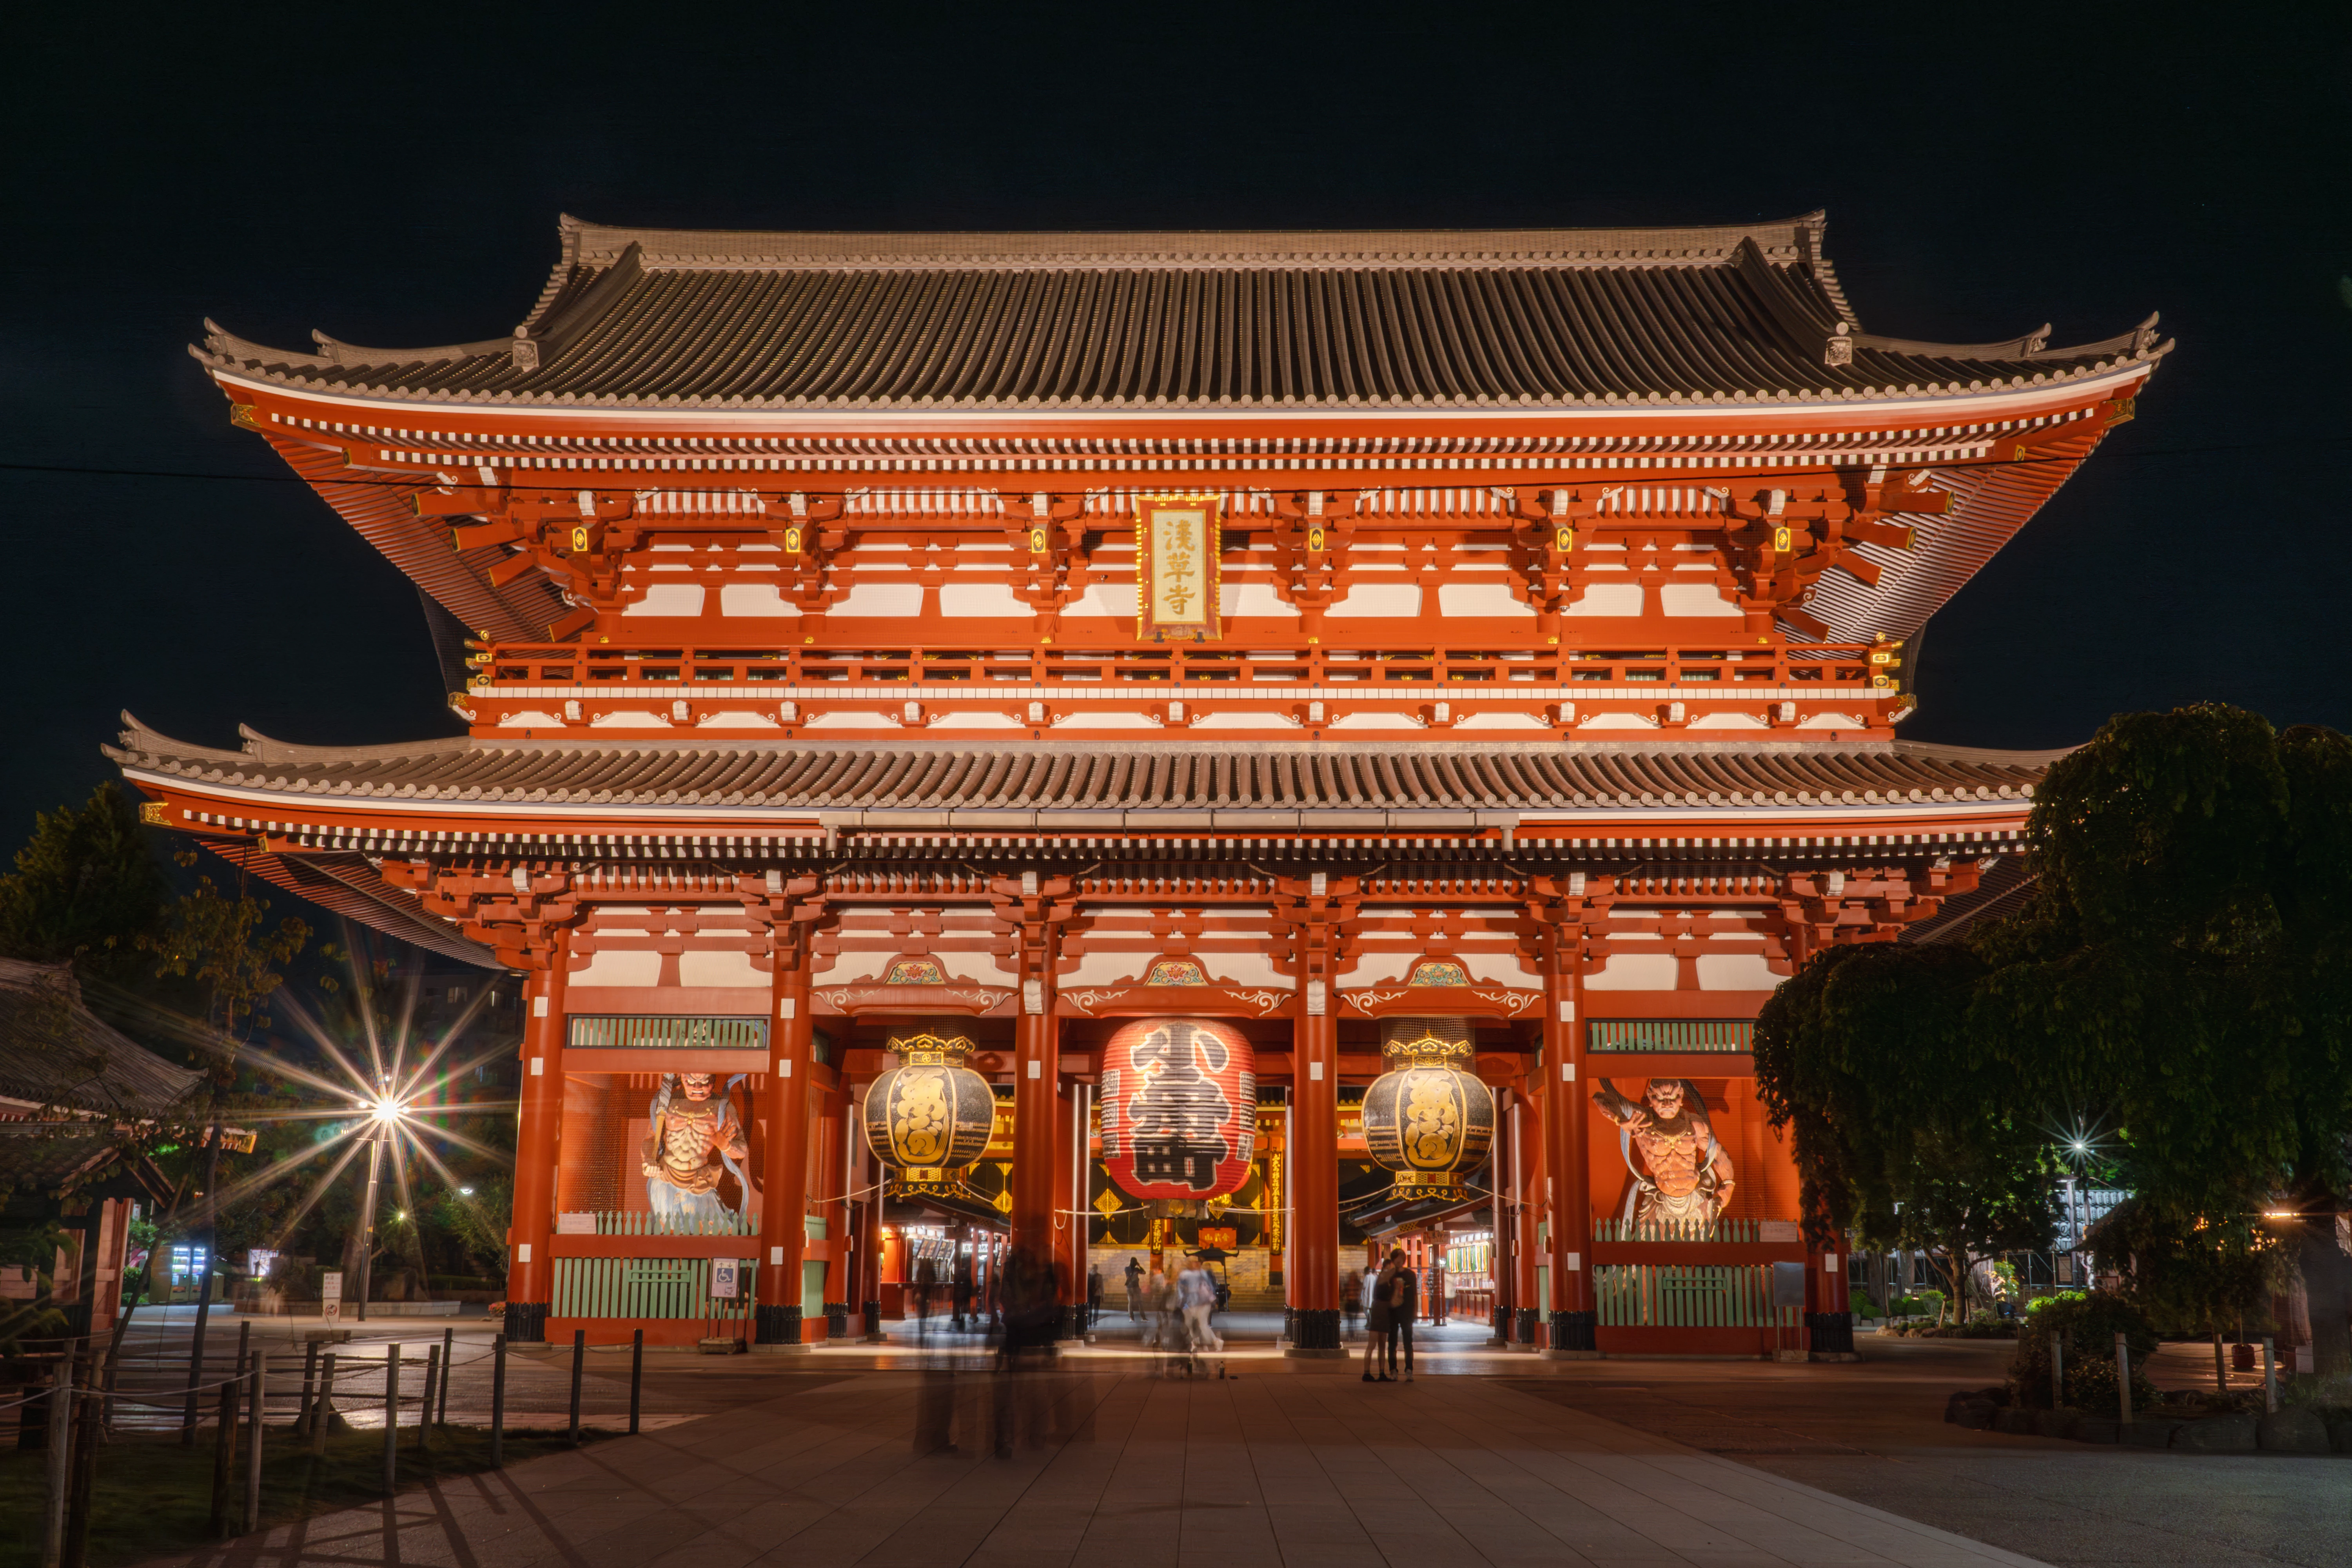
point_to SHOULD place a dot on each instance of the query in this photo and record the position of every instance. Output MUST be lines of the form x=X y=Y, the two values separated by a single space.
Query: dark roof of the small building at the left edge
x=58 y=1052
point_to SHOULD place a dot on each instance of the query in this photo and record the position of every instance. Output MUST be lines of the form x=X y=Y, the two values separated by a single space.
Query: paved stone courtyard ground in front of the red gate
x=1488 y=1459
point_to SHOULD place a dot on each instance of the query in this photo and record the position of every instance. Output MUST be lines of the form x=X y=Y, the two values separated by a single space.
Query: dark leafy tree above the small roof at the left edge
x=86 y=887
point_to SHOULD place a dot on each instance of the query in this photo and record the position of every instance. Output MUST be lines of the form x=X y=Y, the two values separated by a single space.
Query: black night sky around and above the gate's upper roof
x=392 y=175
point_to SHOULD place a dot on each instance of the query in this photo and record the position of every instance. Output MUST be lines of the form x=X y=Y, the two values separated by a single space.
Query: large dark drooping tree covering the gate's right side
x=2181 y=979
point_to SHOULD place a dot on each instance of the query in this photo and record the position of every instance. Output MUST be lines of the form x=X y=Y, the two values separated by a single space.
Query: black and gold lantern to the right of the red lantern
x=1429 y=1118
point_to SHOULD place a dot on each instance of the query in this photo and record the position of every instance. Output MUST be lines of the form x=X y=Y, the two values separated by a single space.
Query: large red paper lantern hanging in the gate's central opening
x=1180 y=1108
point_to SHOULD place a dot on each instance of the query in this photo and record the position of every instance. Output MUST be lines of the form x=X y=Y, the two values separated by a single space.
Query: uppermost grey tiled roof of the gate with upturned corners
x=1163 y=321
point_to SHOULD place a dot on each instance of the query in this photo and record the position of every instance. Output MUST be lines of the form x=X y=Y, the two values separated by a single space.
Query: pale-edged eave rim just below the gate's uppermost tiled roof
x=1986 y=406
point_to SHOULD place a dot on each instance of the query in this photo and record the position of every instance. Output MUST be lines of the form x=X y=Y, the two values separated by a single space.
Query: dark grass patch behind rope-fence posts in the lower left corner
x=154 y=1499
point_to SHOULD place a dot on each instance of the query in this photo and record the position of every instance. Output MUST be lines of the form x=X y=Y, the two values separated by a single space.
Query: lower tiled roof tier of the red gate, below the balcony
x=1048 y=777
